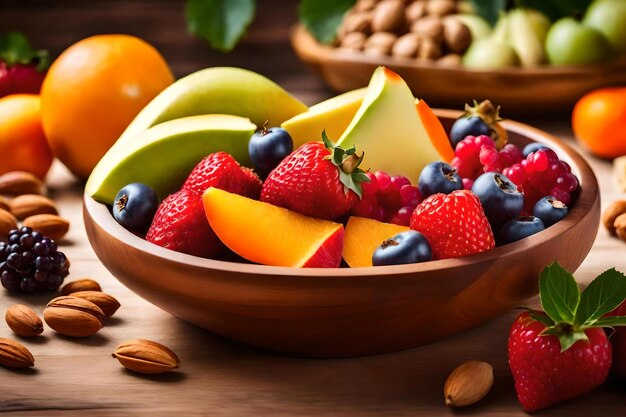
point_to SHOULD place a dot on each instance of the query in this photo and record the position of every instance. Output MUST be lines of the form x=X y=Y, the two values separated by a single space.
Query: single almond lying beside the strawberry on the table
x=468 y=384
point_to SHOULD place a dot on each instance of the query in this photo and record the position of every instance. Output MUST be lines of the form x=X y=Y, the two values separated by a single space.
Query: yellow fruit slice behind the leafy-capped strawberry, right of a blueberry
x=332 y=115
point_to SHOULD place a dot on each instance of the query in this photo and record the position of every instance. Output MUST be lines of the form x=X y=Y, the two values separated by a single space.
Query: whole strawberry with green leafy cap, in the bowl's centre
x=318 y=179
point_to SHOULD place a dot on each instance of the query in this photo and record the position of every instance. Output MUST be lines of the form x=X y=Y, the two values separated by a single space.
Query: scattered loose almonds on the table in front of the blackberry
x=80 y=311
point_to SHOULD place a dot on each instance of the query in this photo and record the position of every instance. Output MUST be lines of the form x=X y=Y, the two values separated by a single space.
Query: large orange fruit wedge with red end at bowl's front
x=270 y=235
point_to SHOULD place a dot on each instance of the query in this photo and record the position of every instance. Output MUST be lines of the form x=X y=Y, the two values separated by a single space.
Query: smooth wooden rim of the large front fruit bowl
x=587 y=198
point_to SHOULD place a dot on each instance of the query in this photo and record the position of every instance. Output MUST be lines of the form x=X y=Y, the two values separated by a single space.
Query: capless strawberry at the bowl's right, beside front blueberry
x=454 y=224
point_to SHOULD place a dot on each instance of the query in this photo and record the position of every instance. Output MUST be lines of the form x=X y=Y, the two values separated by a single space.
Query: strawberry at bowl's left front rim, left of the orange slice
x=180 y=224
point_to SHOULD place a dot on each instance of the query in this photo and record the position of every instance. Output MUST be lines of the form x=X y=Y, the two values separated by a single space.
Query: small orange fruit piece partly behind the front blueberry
x=363 y=236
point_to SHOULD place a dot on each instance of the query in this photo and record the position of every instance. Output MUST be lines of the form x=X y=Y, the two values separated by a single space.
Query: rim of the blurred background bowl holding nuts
x=310 y=49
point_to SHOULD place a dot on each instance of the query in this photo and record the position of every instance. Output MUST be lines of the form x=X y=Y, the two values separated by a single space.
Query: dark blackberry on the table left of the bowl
x=30 y=262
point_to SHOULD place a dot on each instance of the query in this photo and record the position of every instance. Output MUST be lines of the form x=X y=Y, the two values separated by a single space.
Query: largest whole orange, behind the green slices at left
x=93 y=91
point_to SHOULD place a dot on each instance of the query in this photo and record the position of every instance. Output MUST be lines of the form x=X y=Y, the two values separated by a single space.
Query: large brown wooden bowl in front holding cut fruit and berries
x=347 y=312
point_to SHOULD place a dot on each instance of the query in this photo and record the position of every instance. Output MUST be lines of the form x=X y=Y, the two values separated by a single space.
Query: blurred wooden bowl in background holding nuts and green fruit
x=540 y=90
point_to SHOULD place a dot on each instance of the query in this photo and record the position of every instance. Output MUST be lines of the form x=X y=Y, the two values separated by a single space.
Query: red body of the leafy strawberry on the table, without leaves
x=543 y=374
